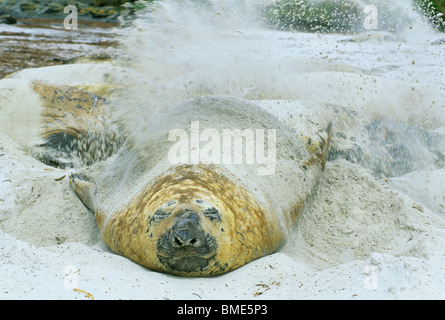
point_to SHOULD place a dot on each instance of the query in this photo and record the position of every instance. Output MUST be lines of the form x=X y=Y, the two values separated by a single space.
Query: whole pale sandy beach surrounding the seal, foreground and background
x=360 y=235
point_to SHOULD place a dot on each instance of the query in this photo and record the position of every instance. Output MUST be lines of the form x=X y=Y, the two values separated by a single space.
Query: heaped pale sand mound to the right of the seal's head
x=352 y=214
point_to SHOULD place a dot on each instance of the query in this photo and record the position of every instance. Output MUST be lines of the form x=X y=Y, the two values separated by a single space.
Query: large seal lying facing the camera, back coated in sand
x=202 y=219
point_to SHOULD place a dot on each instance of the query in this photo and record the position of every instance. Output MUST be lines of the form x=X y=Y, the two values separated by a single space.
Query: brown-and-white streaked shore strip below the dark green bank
x=36 y=43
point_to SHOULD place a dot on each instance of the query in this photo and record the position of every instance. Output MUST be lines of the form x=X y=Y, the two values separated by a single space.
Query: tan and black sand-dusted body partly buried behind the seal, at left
x=75 y=126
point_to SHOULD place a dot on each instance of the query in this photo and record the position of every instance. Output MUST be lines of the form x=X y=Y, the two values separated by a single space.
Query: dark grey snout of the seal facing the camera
x=186 y=247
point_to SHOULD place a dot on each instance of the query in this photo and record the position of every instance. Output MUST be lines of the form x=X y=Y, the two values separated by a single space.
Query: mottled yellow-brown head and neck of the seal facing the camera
x=192 y=211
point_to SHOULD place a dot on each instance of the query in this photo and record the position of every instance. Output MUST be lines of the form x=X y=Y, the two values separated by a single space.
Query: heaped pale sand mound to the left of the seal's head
x=37 y=204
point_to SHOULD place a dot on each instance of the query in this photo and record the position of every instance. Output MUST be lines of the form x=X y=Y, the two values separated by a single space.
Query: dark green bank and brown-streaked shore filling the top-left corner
x=32 y=33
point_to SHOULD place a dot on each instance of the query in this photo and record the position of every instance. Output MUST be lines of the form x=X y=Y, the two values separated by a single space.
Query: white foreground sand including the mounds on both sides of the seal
x=360 y=239
